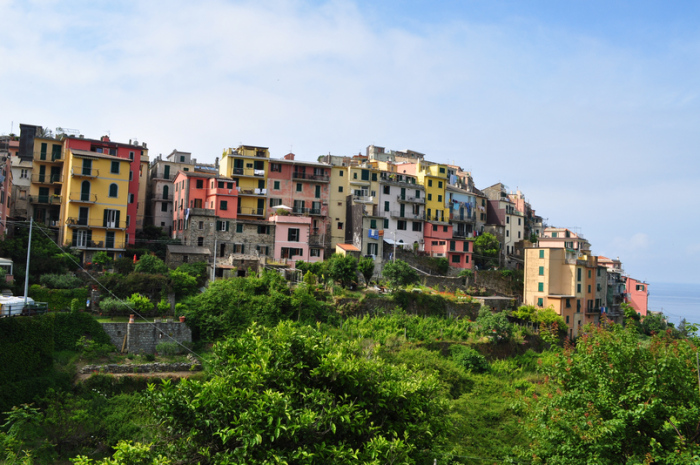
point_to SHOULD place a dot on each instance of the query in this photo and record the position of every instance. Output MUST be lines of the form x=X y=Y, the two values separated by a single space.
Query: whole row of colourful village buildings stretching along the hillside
x=250 y=210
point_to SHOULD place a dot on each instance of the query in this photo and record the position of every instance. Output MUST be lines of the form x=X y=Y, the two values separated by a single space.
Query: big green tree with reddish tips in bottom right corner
x=614 y=400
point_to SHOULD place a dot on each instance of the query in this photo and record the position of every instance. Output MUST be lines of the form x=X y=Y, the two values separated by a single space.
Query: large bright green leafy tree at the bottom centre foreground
x=292 y=394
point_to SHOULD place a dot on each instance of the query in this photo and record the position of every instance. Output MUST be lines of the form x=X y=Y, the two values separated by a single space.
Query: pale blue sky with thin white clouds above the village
x=590 y=108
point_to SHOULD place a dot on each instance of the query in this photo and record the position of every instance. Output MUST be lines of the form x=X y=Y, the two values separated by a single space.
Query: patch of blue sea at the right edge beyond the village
x=676 y=301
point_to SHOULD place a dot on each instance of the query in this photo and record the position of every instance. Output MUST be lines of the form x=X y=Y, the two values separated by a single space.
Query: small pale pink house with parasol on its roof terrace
x=292 y=239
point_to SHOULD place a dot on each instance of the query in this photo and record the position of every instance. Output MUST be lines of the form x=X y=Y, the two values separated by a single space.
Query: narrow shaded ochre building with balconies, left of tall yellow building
x=45 y=190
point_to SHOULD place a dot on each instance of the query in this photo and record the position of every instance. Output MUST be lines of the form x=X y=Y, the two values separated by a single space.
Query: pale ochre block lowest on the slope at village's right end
x=555 y=277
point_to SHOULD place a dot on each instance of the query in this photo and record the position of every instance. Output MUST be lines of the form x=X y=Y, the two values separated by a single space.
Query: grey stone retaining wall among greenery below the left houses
x=144 y=337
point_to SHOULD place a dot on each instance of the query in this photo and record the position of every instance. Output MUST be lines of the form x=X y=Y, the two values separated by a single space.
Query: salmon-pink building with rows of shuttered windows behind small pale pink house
x=304 y=186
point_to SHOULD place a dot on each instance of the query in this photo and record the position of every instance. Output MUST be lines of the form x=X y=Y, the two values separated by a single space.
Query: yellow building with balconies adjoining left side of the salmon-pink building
x=248 y=166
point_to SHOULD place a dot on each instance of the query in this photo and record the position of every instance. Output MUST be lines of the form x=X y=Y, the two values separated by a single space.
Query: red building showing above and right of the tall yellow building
x=128 y=151
